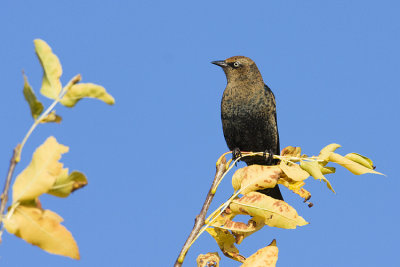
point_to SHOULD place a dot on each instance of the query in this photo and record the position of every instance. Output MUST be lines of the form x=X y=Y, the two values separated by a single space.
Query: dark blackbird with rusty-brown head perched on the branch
x=248 y=114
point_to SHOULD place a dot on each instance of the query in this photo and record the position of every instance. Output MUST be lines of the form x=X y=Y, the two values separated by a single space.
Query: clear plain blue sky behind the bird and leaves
x=333 y=66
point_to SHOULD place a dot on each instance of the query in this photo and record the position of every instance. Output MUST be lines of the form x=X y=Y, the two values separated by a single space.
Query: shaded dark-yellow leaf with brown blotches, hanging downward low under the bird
x=226 y=241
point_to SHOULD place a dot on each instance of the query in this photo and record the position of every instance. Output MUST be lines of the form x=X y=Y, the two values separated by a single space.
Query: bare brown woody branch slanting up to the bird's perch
x=200 y=219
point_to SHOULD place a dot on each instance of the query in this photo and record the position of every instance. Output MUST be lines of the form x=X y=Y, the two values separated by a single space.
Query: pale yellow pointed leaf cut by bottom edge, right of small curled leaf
x=265 y=257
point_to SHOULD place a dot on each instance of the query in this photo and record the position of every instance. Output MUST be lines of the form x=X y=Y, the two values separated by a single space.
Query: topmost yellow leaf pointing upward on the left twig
x=52 y=71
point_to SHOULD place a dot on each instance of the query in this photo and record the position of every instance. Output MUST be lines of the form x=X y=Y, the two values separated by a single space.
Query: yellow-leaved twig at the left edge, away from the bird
x=25 y=217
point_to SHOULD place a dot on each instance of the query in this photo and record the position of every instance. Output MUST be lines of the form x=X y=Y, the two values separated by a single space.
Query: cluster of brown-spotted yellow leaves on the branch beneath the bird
x=291 y=172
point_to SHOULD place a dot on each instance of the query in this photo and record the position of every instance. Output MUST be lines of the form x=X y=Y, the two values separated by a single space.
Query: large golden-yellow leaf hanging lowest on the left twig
x=42 y=228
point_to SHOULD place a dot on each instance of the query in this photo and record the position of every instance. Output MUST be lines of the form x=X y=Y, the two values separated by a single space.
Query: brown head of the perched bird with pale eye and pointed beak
x=239 y=68
